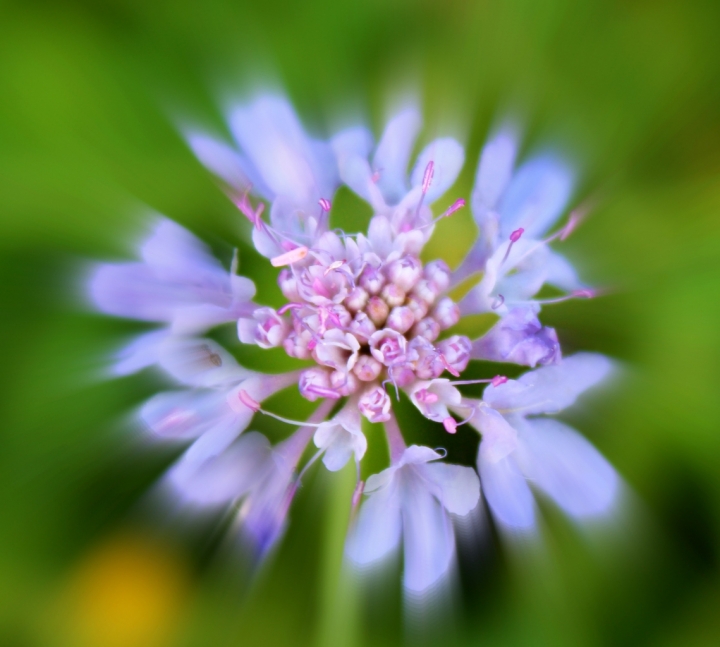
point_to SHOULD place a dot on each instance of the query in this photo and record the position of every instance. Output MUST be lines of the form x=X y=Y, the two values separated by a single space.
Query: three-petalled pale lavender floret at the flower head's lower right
x=516 y=450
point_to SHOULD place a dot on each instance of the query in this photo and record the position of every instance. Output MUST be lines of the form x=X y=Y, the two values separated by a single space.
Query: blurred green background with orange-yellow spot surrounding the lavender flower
x=91 y=92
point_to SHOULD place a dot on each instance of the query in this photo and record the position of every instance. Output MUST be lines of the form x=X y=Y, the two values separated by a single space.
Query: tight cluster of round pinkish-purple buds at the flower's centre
x=366 y=325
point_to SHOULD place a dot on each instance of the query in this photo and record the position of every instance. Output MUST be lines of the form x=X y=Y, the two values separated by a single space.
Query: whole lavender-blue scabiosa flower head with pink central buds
x=375 y=321
